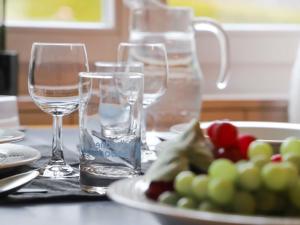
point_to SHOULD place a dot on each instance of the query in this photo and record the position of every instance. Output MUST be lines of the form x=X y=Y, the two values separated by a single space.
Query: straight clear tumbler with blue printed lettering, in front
x=110 y=126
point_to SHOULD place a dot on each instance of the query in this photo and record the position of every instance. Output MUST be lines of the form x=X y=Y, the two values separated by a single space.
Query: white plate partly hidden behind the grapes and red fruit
x=267 y=131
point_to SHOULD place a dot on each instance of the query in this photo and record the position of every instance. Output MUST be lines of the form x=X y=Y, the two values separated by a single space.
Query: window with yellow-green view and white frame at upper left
x=60 y=13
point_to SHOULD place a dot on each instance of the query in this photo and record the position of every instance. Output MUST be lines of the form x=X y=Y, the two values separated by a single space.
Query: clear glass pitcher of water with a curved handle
x=176 y=28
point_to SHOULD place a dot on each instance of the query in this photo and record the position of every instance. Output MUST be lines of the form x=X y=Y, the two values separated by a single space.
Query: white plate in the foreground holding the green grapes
x=130 y=192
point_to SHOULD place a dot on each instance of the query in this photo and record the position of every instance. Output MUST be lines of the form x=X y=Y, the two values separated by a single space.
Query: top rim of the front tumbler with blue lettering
x=109 y=75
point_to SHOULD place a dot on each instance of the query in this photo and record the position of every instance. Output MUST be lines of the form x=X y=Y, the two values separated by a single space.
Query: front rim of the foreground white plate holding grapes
x=210 y=217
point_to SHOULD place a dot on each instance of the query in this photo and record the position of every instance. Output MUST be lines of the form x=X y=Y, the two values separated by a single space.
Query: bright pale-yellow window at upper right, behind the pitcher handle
x=245 y=11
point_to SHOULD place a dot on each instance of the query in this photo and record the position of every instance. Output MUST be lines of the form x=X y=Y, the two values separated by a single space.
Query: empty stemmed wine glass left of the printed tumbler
x=53 y=84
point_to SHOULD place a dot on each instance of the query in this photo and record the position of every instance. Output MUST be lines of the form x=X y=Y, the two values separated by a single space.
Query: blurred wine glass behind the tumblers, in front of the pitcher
x=156 y=70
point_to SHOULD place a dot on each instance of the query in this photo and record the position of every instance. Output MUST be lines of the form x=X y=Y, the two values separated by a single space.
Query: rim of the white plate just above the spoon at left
x=23 y=161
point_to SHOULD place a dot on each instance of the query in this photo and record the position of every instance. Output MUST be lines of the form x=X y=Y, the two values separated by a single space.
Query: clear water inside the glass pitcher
x=182 y=100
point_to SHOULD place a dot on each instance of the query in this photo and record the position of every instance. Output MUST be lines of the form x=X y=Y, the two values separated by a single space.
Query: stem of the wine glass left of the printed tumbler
x=57 y=146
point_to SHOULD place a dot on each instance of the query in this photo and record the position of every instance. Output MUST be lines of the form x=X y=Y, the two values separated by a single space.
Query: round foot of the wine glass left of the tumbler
x=59 y=171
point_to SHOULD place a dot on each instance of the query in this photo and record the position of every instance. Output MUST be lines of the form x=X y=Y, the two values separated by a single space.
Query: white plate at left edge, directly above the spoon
x=12 y=155
